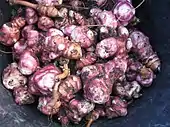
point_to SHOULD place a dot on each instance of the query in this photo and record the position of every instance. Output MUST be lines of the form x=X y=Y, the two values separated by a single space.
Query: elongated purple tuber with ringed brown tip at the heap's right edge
x=142 y=47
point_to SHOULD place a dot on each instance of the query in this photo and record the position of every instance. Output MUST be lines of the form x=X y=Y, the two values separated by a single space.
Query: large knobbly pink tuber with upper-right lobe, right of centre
x=98 y=79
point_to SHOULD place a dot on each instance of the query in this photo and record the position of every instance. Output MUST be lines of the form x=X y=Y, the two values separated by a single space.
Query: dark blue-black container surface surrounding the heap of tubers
x=151 y=110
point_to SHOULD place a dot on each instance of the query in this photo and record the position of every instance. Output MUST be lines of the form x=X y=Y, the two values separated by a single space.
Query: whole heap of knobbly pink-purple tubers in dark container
x=79 y=59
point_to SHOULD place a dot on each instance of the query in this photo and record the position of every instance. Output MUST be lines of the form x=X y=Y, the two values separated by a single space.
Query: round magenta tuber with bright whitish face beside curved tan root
x=44 y=79
